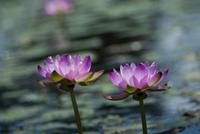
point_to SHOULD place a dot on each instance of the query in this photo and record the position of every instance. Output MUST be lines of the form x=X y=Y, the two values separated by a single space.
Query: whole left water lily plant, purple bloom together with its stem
x=66 y=71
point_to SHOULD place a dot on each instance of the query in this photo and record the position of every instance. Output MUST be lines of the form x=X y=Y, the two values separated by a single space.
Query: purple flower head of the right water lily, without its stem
x=134 y=78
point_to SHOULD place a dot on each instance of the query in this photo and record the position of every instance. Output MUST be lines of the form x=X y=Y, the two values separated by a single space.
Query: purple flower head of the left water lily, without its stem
x=71 y=68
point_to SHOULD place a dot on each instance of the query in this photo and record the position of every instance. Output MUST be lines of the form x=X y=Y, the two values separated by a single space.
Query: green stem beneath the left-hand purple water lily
x=76 y=112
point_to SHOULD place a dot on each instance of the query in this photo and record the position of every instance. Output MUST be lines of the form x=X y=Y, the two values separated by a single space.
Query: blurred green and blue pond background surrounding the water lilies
x=113 y=32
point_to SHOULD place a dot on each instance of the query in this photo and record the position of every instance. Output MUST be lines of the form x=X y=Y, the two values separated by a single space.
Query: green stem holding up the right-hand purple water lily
x=142 y=112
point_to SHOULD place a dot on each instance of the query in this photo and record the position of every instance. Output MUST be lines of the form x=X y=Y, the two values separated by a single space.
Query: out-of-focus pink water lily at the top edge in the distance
x=54 y=7
